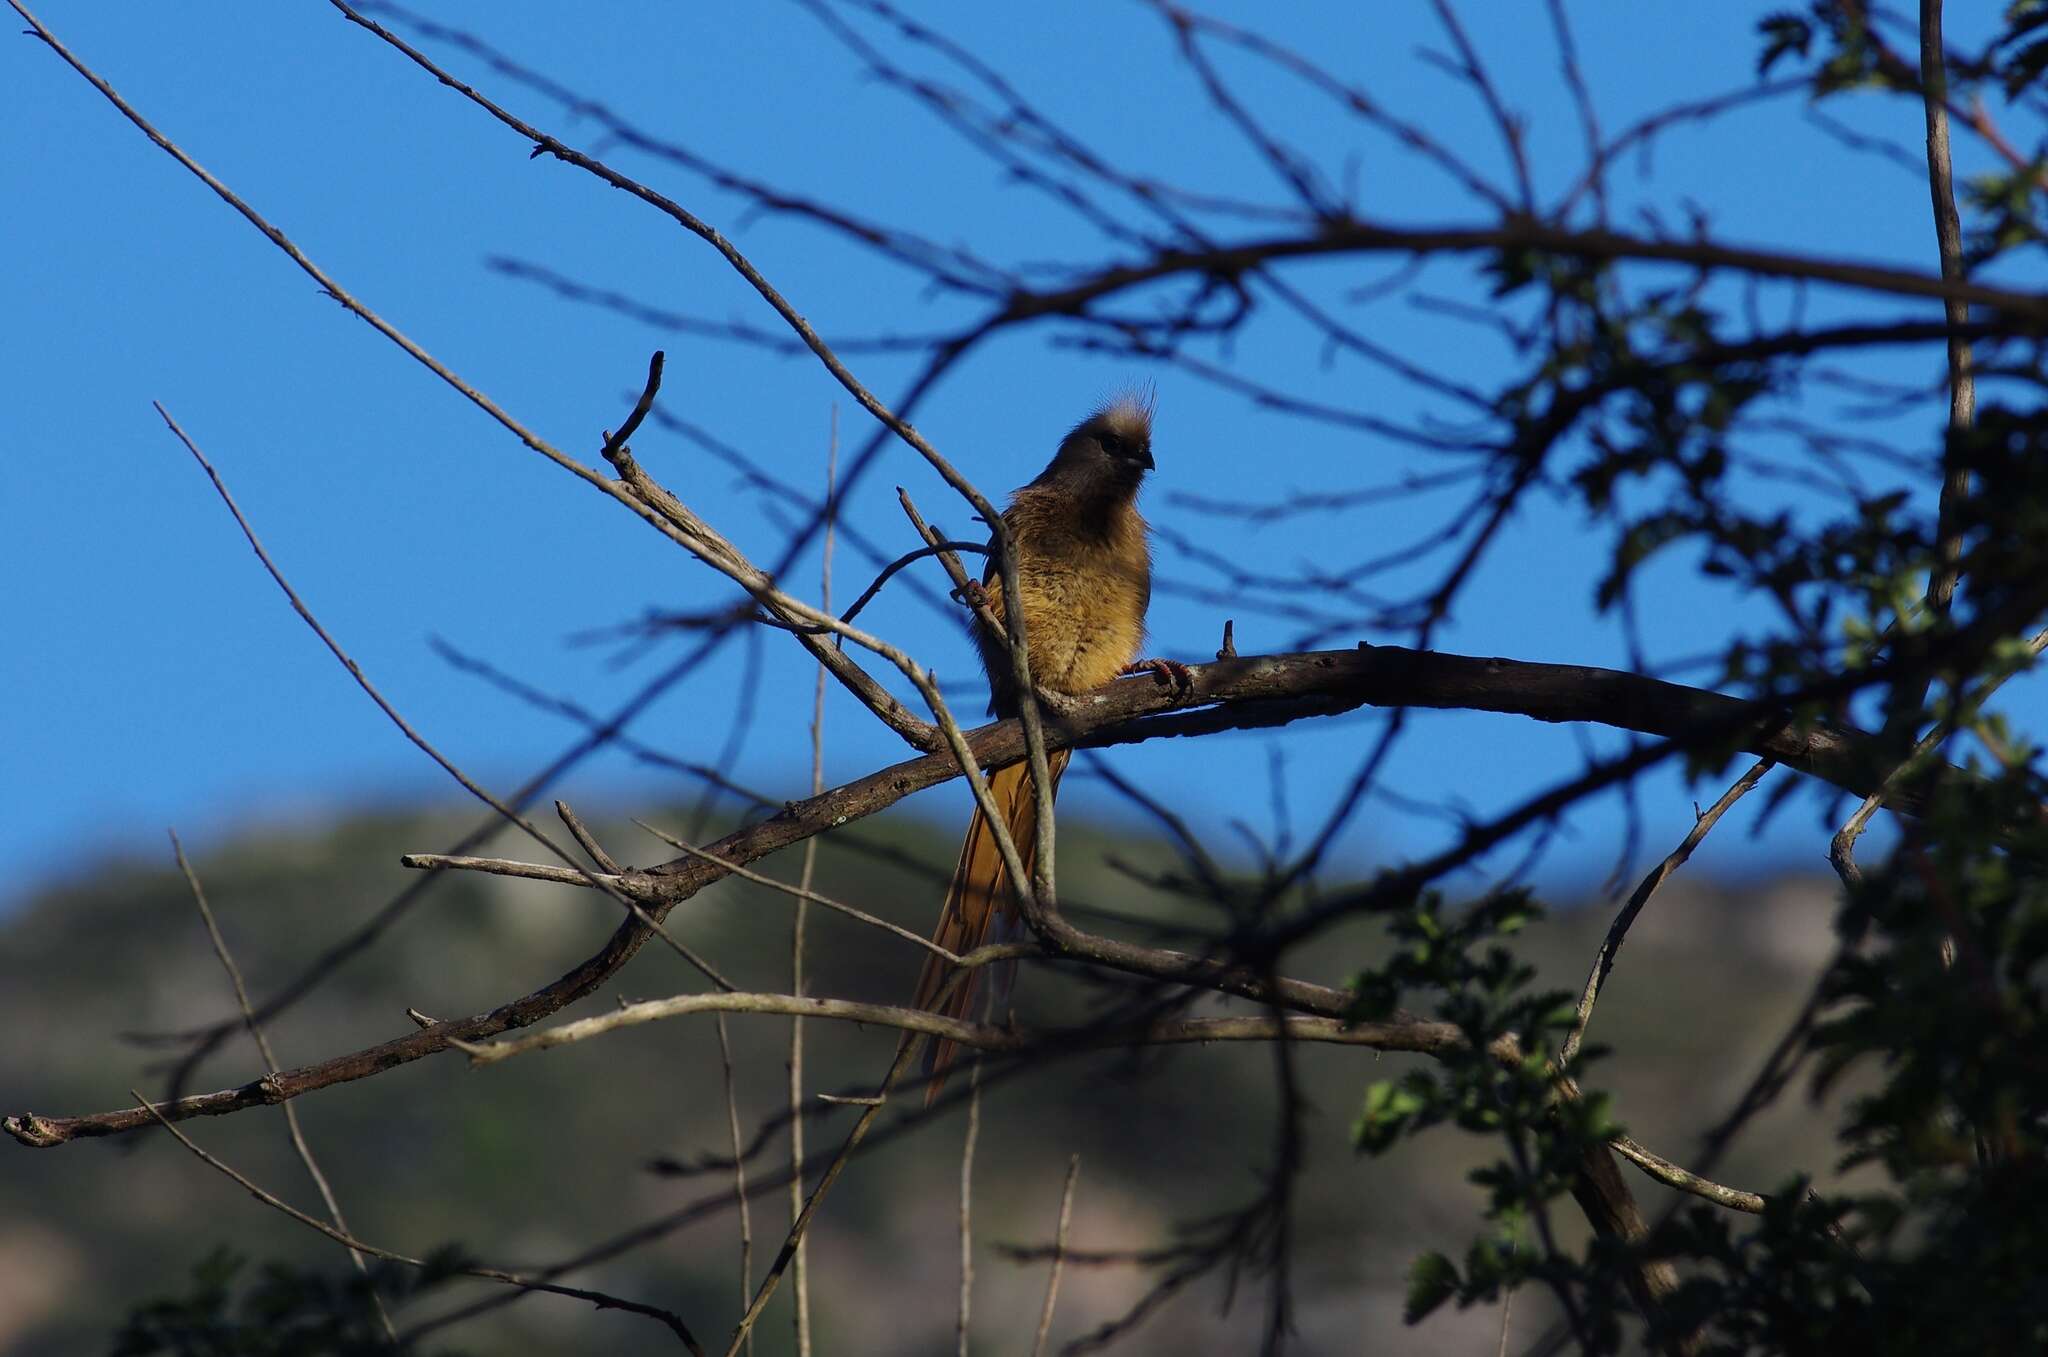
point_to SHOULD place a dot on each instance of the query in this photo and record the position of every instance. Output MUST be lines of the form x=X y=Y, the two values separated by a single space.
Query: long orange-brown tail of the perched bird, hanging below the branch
x=980 y=893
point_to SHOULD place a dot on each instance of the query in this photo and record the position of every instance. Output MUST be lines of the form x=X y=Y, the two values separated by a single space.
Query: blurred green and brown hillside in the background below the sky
x=540 y=1157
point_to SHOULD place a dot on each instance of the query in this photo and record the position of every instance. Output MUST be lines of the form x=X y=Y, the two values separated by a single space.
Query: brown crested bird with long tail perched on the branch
x=1084 y=580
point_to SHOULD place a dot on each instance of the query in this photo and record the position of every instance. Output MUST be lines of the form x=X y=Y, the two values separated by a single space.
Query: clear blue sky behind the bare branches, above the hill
x=157 y=676
